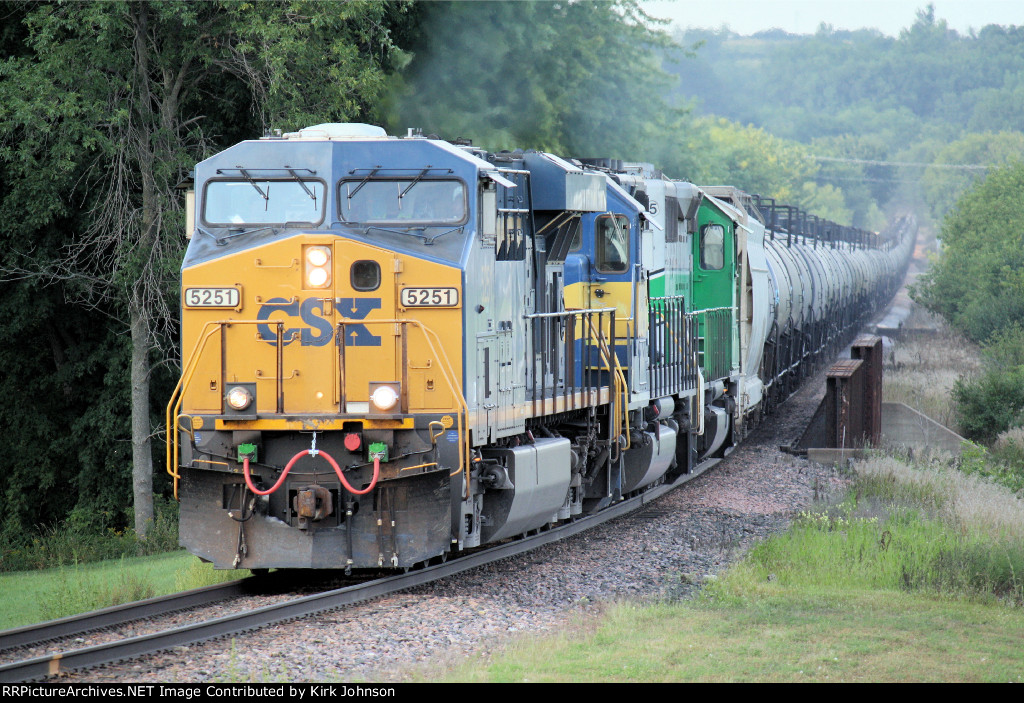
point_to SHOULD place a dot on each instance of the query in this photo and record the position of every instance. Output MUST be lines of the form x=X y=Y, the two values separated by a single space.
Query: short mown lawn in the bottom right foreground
x=780 y=637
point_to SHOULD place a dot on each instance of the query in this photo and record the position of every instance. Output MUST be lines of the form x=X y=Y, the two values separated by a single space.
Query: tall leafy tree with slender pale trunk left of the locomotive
x=107 y=109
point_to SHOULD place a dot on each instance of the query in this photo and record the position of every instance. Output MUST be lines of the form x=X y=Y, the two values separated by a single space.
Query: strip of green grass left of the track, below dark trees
x=30 y=597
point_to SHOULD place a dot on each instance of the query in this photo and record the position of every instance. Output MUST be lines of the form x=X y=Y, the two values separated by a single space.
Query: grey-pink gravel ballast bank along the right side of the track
x=665 y=551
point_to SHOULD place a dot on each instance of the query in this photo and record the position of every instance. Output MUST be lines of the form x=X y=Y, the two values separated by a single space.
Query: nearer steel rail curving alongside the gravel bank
x=98 y=655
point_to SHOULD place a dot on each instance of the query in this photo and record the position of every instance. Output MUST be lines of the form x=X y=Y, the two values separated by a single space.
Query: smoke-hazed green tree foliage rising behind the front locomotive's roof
x=576 y=78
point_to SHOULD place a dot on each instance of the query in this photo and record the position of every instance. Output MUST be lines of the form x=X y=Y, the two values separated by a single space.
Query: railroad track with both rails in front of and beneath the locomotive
x=53 y=665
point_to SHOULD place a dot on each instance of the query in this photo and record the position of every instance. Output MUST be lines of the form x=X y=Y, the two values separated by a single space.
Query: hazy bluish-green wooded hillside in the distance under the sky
x=883 y=114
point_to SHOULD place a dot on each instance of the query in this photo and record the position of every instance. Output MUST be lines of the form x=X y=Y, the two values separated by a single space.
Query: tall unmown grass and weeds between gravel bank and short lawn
x=903 y=526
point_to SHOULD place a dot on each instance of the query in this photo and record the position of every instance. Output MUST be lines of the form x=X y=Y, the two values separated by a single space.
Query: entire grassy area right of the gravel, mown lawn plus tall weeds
x=916 y=576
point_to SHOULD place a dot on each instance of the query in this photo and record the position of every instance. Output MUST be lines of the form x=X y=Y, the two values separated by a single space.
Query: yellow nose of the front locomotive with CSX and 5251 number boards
x=324 y=327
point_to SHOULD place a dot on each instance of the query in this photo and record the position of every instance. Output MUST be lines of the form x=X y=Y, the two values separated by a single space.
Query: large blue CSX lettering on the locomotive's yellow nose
x=318 y=331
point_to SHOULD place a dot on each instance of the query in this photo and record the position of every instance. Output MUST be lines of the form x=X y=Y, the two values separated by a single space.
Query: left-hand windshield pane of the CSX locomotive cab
x=231 y=203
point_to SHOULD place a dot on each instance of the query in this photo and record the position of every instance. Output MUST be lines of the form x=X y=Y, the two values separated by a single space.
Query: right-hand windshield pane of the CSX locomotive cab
x=401 y=202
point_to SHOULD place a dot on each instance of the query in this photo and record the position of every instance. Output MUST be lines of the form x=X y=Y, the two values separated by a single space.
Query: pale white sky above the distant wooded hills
x=804 y=17
